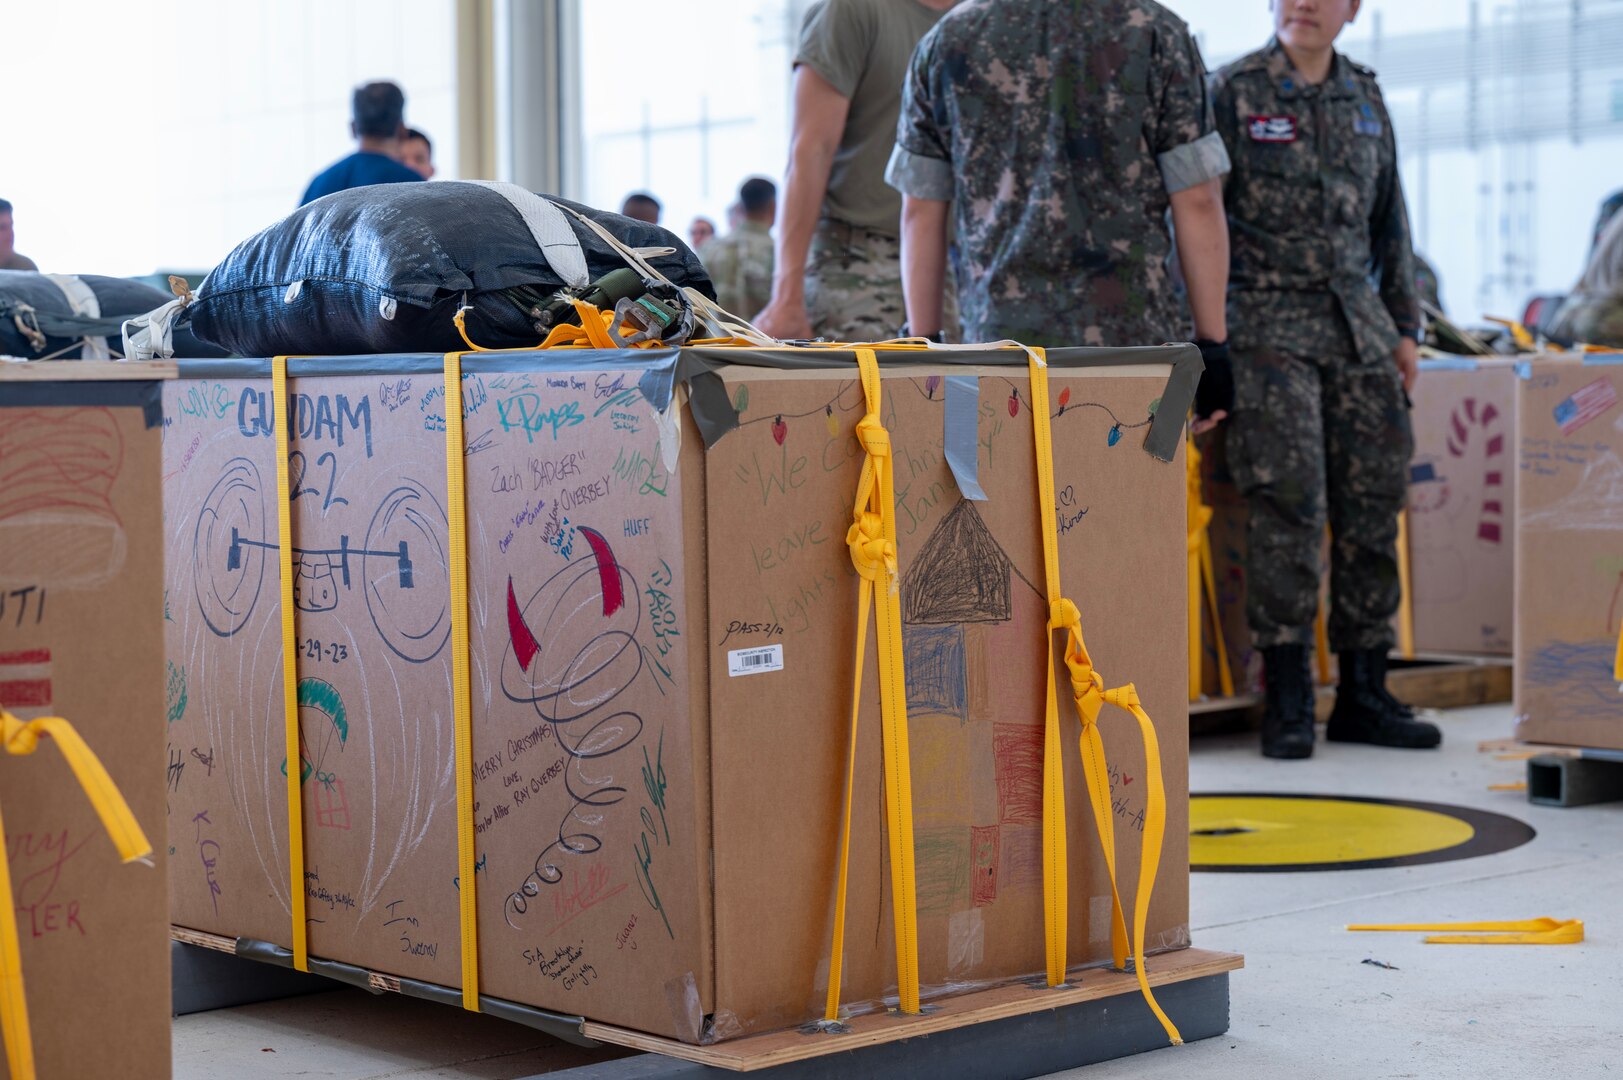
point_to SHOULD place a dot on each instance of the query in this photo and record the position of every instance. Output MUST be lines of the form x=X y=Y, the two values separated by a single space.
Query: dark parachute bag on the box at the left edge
x=71 y=318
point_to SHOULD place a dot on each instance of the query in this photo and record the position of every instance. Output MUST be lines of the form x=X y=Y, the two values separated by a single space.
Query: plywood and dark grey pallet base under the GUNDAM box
x=1015 y=1030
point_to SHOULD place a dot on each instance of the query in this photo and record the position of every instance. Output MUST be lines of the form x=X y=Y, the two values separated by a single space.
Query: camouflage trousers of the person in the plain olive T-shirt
x=855 y=285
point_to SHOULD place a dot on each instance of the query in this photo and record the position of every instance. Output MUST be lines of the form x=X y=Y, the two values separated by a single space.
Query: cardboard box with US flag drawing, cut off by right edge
x=1569 y=551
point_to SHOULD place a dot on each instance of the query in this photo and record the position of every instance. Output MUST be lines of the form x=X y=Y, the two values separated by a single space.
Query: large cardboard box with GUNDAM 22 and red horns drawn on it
x=657 y=834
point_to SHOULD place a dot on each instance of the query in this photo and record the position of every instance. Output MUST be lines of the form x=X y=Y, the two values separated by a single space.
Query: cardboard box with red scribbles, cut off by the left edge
x=82 y=610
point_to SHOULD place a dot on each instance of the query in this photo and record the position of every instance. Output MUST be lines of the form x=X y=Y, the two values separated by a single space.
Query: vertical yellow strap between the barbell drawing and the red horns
x=462 y=694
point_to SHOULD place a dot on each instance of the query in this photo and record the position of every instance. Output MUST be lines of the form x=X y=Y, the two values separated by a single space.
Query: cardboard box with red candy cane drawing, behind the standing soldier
x=1463 y=506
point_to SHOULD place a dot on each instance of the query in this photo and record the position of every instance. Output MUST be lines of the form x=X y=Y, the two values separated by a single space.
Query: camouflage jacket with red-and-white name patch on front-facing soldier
x=1315 y=205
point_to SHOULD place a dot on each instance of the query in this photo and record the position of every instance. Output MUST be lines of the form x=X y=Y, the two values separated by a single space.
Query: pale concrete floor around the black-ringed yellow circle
x=1306 y=1008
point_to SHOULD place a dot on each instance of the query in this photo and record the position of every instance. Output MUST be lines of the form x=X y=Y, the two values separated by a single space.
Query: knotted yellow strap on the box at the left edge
x=127 y=837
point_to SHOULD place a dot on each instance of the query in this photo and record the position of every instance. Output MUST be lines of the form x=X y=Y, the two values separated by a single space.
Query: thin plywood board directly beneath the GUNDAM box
x=780 y=1048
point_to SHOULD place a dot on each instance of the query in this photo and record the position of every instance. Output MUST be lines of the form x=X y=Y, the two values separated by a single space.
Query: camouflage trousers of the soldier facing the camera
x=1320 y=439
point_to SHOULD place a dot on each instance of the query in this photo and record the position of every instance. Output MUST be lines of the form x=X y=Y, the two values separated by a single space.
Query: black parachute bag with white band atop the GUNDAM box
x=385 y=269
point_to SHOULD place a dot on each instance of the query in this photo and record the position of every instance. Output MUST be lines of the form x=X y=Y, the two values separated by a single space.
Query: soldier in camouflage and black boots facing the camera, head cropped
x=1324 y=313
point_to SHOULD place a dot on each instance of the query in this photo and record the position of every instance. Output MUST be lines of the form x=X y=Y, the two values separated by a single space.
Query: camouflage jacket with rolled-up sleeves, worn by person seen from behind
x=1059 y=131
